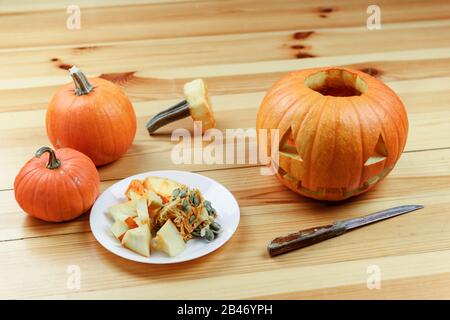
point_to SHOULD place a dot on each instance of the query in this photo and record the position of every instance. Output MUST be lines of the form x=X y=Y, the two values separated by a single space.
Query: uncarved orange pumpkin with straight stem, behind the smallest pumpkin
x=92 y=116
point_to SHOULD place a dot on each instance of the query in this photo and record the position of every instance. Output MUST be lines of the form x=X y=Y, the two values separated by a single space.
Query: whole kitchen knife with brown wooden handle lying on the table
x=307 y=237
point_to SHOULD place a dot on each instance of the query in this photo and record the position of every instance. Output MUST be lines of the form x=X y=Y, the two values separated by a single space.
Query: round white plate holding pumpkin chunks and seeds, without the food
x=221 y=199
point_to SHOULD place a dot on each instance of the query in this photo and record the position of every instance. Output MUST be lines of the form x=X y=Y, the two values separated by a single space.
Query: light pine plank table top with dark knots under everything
x=240 y=48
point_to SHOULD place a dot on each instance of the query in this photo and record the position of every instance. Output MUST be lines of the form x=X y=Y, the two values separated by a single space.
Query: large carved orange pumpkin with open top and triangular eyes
x=340 y=131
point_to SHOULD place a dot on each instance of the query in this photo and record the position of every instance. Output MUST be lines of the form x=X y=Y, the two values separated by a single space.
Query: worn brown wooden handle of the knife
x=304 y=238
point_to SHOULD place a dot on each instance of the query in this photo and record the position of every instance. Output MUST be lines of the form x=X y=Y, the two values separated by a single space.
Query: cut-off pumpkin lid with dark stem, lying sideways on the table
x=196 y=105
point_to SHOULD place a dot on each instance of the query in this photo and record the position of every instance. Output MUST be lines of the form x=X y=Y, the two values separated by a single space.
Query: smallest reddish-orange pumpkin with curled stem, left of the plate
x=57 y=186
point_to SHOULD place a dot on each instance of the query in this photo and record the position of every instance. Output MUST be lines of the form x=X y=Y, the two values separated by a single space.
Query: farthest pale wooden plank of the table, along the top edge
x=156 y=20
